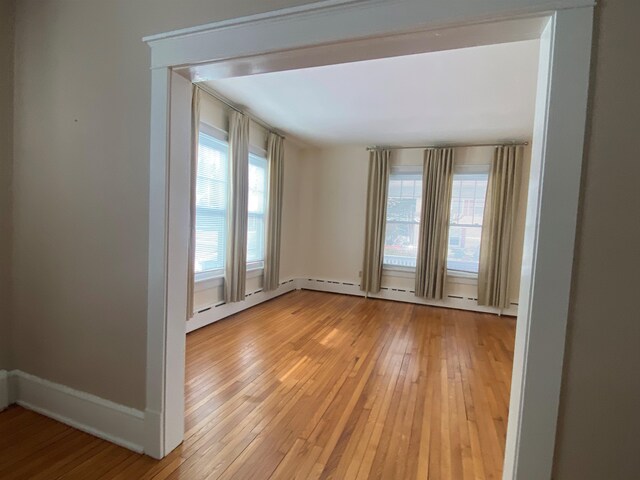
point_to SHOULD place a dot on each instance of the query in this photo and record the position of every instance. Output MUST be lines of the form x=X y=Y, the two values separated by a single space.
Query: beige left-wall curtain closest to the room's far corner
x=275 y=160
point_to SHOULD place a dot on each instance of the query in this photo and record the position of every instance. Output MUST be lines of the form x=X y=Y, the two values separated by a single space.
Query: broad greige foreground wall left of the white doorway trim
x=81 y=185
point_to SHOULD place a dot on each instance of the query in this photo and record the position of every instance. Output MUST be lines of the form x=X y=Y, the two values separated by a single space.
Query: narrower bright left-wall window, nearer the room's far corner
x=257 y=206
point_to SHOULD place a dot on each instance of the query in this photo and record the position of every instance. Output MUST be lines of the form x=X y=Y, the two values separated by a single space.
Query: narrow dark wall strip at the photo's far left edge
x=7 y=8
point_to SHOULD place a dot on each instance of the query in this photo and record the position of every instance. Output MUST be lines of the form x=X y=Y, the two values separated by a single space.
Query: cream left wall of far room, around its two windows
x=216 y=114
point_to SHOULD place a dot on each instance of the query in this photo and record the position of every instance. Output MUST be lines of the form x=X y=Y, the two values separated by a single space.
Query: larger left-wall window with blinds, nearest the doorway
x=211 y=204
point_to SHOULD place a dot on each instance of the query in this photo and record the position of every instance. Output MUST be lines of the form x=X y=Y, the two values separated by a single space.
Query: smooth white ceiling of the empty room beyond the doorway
x=478 y=94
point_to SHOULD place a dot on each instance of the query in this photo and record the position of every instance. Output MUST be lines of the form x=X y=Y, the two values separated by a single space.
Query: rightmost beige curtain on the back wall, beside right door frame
x=497 y=230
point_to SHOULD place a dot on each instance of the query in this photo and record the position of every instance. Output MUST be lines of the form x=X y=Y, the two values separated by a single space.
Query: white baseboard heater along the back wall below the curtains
x=399 y=295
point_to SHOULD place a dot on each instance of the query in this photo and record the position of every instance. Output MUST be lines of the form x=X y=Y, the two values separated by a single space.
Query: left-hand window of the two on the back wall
x=403 y=219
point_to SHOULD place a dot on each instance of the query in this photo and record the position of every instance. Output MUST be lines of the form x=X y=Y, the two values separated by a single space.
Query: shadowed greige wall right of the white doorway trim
x=598 y=435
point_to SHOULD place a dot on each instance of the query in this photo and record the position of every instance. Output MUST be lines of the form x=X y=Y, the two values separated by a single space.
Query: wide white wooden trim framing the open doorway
x=272 y=42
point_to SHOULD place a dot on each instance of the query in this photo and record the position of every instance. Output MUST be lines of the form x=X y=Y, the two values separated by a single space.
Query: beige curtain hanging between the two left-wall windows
x=237 y=204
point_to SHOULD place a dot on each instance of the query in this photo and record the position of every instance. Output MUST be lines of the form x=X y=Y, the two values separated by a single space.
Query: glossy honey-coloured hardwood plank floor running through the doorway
x=312 y=385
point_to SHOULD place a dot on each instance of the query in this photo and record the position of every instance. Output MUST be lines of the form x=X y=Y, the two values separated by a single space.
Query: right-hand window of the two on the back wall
x=465 y=221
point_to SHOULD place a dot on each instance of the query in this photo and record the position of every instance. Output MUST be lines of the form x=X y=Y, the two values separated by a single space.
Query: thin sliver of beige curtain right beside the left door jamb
x=195 y=132
